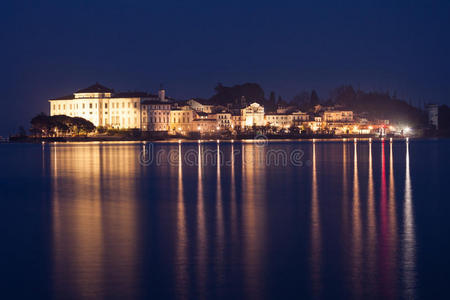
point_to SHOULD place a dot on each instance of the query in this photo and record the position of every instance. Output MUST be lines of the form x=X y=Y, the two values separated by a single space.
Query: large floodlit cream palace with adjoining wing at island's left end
x=104 y=107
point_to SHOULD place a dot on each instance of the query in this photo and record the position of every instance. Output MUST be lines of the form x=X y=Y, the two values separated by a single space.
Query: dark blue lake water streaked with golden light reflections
x=277 y=221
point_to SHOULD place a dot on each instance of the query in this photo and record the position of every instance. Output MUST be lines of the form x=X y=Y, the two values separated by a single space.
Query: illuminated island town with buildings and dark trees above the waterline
x=232 y=113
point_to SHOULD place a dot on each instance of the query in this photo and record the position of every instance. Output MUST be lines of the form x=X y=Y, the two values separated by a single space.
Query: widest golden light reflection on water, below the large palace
x=94 y=221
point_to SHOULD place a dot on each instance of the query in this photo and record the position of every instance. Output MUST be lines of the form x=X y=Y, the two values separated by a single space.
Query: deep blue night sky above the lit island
x=51 y=49
